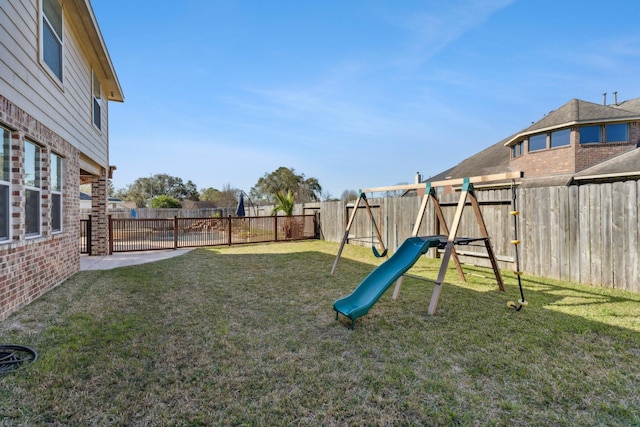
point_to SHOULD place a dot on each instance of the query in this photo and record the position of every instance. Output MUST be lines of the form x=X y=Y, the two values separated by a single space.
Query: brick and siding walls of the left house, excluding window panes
x=56 y=116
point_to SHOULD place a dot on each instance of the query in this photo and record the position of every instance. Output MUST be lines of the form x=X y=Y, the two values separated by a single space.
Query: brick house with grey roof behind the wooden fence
x=578 y=141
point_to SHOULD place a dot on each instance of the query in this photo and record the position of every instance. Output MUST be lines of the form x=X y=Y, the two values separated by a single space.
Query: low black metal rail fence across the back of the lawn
x=127 y=235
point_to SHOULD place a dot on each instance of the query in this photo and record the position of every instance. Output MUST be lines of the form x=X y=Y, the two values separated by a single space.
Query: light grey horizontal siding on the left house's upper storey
x=65 y=109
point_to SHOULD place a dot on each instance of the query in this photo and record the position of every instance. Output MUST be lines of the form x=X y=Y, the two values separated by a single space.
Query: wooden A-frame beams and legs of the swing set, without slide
x=450 y=239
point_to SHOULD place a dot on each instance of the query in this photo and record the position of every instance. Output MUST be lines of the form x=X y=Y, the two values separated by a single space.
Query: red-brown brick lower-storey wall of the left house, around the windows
x=29 y=267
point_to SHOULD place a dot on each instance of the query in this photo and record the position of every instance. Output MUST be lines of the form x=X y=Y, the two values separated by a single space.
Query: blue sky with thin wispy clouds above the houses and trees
x=359 y=93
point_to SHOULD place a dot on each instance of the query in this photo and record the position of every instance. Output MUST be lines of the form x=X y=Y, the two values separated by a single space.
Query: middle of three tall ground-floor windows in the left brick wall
x=32 y=185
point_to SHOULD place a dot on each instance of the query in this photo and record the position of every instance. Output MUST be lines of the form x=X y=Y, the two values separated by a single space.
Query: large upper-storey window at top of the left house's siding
x=51 y=43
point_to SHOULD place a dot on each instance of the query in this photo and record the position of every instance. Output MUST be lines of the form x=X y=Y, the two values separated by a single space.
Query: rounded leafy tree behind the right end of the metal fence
x=284 y=180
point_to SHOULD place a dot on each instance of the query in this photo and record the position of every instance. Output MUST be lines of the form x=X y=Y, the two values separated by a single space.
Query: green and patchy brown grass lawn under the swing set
x=246 y=335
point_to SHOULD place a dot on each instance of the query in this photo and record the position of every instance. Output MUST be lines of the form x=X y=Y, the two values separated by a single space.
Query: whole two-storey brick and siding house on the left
x=56 y=79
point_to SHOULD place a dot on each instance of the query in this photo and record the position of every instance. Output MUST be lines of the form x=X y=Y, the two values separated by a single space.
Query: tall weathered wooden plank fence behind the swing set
x=586 y=234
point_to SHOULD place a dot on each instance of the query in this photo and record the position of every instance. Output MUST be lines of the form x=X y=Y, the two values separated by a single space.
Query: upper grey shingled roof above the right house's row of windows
x=581 y=112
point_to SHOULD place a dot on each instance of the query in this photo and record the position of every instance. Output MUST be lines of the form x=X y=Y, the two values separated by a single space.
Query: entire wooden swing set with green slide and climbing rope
x=395 y=268
